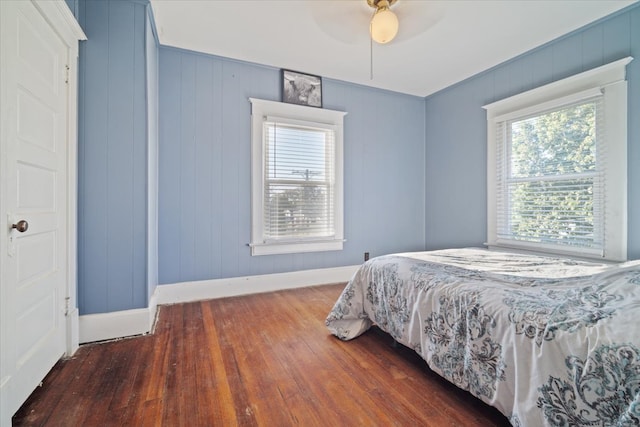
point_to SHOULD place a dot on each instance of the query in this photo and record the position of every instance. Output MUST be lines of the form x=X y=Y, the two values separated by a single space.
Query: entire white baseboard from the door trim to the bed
x=119 y=324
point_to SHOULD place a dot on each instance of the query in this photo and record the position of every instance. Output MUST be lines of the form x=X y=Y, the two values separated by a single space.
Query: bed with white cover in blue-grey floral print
x=547 y=341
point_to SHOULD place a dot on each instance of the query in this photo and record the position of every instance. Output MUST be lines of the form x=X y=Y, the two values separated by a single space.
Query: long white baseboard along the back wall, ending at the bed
x=219 y=288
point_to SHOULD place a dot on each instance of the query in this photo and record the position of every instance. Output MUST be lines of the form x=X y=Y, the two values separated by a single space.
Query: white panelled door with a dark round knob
x=34 y=201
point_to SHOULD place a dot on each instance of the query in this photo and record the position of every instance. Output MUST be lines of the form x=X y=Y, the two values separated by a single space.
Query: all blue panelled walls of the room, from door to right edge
x=400 y=193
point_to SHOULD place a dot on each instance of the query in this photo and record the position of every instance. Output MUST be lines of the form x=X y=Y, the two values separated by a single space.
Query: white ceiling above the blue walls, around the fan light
x=439 y=42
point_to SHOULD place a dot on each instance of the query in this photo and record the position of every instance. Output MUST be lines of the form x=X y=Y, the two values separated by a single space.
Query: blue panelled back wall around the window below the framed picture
x=204 y=183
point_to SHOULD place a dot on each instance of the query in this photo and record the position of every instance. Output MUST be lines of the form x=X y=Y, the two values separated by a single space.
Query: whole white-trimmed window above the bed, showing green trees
x=557 y=166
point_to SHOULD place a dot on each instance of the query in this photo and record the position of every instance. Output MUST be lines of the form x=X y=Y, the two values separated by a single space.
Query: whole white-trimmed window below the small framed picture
x=296 y=178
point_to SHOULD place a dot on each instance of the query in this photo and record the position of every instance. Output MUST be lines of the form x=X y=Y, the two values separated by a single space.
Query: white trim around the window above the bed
x=610 y=80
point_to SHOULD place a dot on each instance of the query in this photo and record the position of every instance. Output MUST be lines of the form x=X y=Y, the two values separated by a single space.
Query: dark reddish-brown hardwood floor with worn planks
x=264 y=360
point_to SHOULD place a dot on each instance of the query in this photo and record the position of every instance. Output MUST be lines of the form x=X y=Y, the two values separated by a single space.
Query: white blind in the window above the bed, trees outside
x=550 y=177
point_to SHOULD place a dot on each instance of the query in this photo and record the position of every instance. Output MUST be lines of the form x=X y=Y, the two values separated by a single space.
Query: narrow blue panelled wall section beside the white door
x=112 y=157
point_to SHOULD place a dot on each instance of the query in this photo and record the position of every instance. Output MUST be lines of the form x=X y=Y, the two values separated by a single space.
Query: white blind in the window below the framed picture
x=299 y=180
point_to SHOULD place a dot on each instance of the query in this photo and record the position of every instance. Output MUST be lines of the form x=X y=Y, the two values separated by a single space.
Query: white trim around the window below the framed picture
x=292 y=112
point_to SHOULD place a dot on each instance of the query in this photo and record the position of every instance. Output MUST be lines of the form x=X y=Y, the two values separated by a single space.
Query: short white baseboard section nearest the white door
x=118 y=324
